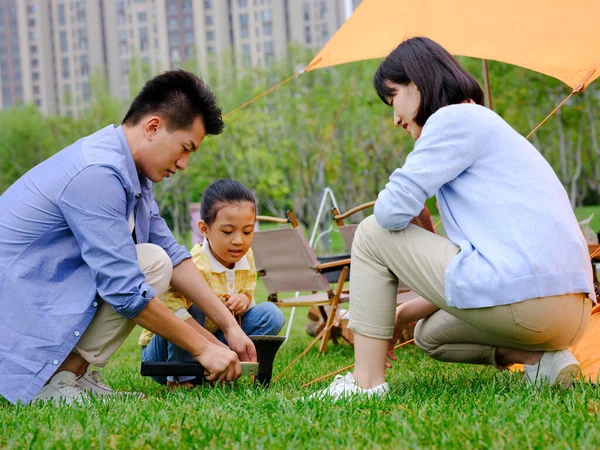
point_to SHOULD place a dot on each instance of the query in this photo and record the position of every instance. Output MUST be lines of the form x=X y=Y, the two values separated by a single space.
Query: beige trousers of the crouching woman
x=419 y=258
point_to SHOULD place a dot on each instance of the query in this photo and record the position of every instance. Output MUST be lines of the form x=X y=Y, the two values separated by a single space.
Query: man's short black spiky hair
x=178 y=97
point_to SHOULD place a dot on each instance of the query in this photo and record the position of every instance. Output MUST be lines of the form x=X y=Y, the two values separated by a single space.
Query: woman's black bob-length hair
x=439 y=78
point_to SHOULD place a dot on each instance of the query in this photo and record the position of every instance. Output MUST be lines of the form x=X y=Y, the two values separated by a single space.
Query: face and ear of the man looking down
x=165 y=152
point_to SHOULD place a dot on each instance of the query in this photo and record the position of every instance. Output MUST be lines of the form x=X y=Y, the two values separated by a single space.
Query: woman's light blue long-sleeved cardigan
x=500 y=202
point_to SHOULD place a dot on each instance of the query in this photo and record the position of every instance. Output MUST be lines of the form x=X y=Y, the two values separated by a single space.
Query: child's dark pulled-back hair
x=221 y=193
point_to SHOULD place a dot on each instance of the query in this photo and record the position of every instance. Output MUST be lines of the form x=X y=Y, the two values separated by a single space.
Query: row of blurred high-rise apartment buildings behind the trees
x=49 y=49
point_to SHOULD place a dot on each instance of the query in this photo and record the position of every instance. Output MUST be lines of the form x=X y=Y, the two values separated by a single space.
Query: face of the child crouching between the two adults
x=231 y=234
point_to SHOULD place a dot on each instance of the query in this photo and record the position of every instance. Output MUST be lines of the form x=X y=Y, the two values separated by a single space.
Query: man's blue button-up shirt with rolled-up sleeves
x=65 y=243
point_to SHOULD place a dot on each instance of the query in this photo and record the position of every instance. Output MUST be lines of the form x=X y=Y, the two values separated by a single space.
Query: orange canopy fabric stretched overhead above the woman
x=557 y=38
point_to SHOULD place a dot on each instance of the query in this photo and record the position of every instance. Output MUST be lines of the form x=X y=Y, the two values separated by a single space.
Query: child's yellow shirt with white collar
x=239 y=280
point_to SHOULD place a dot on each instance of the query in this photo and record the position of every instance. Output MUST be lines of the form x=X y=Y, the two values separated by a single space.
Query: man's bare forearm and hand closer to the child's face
x=188 y=281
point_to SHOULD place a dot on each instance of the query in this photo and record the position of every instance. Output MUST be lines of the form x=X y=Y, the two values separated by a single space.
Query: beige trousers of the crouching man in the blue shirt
x=108 y=329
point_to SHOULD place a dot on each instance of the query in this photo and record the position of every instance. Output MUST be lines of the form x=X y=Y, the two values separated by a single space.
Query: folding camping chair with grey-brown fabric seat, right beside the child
x=286 y=263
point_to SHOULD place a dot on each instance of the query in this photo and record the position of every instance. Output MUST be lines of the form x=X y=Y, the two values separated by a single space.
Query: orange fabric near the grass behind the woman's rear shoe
x=586 y=350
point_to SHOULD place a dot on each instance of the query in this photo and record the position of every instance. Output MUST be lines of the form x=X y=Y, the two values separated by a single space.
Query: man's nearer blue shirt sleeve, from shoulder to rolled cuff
x=98 y=219
